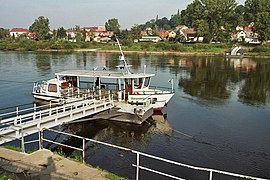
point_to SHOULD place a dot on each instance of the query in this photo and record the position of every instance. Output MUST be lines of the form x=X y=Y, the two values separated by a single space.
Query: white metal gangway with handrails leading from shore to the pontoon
x=20 y=123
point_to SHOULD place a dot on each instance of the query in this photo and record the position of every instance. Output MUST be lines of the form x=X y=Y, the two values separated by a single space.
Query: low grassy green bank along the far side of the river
x=200 y=48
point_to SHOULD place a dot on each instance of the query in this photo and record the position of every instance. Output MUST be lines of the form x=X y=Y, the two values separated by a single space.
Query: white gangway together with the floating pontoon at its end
x=20 y=123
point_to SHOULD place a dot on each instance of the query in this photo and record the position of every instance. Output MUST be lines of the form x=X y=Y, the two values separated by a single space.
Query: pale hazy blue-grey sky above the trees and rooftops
x=68 y=13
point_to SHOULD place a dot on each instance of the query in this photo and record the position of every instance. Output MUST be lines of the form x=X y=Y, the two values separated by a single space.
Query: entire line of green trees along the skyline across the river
x=215 y=20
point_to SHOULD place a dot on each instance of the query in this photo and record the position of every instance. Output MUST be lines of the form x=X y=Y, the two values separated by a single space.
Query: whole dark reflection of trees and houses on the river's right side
x=213 y=79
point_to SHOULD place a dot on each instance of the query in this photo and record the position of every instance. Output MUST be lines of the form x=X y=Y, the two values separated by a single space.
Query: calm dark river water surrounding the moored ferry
x=218 y=118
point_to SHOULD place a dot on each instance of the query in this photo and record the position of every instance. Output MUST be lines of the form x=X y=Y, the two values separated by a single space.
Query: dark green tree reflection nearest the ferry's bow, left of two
x=208 y=79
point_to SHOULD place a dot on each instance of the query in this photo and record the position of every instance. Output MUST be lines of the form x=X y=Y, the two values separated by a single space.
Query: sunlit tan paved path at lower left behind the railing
x=43 y=165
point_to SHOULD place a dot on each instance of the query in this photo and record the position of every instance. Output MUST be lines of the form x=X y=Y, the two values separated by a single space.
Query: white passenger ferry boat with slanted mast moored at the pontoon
x=132 y=88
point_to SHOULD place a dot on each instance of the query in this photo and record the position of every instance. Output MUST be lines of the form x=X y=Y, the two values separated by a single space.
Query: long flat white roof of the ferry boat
x=103 y=74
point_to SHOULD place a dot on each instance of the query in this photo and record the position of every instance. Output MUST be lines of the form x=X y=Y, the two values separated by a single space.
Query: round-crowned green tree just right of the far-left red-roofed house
x=41 y=28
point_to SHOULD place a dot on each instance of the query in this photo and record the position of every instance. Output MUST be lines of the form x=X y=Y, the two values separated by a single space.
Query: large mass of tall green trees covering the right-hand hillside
x=216 y=20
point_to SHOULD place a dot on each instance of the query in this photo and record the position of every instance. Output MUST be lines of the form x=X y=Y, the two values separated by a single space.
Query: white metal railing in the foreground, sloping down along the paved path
x=138 y=165
